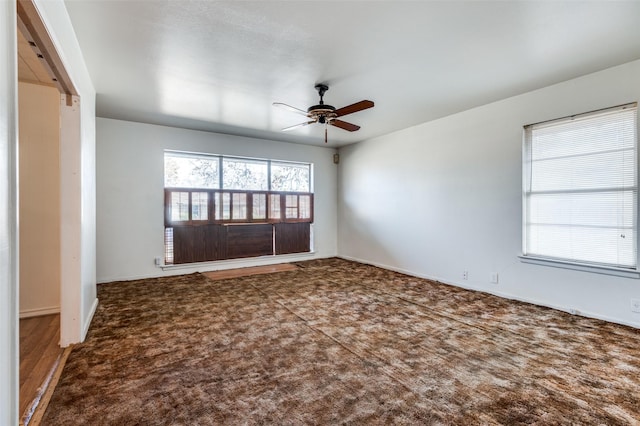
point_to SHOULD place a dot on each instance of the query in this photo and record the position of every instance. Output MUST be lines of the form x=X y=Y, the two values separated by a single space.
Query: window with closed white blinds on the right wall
x=580 y=188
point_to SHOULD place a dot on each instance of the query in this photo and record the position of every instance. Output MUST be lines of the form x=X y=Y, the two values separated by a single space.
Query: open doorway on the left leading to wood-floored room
x=43 y=90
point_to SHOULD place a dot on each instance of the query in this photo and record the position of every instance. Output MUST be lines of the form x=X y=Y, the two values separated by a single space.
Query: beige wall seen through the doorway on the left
x=39 y=152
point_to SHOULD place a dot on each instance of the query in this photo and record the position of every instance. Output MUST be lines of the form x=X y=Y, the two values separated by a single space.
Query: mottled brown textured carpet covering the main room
x=338 y=342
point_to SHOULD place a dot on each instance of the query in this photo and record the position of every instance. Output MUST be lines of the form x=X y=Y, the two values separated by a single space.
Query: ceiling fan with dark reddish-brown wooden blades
x=326 y=114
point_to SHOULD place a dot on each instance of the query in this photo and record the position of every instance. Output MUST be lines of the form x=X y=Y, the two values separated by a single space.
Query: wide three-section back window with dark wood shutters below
x=219 y=207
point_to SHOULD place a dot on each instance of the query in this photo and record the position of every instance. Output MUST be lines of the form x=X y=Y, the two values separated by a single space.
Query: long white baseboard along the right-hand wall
x=495 y=293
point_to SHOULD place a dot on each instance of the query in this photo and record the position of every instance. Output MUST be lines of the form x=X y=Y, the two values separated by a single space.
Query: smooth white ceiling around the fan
x=219 y=65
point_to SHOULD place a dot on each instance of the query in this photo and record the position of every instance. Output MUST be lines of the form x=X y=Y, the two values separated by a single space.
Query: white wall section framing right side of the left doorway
x=77 y=162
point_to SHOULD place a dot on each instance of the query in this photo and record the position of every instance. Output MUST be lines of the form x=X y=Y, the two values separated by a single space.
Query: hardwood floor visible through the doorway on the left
x=39 y=354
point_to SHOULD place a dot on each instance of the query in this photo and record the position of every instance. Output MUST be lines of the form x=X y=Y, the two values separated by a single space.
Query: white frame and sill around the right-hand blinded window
x=575 y=264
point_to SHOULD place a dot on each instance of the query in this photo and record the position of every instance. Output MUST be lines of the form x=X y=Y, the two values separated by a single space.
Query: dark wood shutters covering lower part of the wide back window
x=220 y=224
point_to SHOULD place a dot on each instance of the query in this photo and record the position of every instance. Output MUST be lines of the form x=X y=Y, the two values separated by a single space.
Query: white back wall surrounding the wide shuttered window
x=130 y=190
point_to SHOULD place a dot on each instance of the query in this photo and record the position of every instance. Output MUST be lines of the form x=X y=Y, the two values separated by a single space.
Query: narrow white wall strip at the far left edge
x=9 y=358
